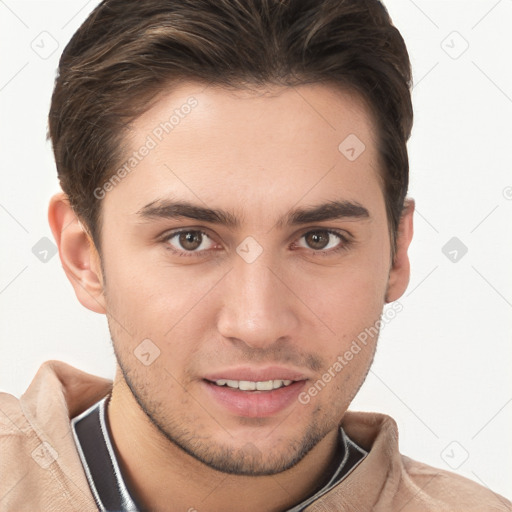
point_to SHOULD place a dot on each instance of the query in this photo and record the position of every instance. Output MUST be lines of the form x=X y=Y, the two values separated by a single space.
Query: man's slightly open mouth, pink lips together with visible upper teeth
x=259 y=395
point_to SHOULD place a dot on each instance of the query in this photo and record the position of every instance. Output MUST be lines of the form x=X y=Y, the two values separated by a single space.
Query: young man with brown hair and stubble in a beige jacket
x=234 y=178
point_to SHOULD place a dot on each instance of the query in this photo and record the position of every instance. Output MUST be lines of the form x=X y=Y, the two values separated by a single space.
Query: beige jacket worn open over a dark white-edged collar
x=40 y=469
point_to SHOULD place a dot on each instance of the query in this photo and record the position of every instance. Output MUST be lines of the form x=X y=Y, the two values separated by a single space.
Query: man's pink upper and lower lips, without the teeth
x=255 y=404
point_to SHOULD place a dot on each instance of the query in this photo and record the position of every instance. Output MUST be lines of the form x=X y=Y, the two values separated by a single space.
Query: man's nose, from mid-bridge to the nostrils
x=258 y=308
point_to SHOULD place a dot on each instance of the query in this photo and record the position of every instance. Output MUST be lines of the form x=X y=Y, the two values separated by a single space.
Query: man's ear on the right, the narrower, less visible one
x=400 y=268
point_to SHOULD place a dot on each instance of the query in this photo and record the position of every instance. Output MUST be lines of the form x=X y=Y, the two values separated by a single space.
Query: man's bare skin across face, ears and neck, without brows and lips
x=256 y=154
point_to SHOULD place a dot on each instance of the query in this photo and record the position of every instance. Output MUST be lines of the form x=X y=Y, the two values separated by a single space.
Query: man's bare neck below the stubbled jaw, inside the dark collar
x=161 y=476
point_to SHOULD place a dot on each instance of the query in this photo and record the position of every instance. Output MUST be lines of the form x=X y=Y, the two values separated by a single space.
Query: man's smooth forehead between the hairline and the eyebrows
x=251 y=149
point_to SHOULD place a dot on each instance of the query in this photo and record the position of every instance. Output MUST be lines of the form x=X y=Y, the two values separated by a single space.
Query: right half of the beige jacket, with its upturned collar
x=389 y=480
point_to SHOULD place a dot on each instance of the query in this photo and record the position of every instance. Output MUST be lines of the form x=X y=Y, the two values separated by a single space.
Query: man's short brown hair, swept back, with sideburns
x=127 y=51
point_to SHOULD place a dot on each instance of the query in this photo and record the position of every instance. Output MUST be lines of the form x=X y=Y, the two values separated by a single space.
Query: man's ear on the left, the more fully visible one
x=78 y=255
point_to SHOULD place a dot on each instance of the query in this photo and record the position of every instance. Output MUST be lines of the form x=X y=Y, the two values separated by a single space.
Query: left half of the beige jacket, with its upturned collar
x=39 y=461
